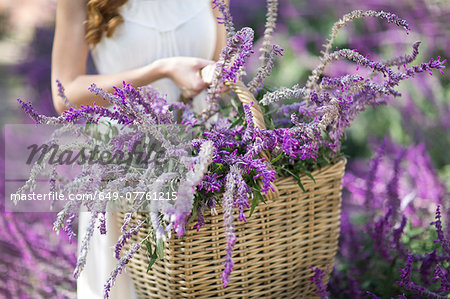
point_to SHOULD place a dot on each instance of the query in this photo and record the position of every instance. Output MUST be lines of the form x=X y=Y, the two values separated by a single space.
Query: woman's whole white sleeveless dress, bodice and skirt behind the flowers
x=152 y=29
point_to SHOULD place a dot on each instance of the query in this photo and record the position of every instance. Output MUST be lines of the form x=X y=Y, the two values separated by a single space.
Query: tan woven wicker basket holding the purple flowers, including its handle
x=274 y=250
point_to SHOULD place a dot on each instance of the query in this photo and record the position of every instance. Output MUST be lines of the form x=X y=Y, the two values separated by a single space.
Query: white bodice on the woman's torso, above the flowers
x=154 y=29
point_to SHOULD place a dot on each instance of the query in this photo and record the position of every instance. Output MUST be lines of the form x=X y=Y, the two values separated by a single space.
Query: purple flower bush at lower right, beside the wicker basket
x=385 y=246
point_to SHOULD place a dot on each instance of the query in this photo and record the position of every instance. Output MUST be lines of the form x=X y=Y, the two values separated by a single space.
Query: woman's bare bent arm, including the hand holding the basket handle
x=69 y=56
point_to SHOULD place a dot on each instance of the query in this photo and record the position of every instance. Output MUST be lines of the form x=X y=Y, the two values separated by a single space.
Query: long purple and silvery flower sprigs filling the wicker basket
x=229 y=155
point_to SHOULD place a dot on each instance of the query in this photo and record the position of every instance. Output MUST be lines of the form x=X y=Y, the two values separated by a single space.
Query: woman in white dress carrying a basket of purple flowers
x=164 y=43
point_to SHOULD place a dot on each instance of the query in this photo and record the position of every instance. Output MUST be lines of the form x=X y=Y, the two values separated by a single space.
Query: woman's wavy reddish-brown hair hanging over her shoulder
x=102 y=17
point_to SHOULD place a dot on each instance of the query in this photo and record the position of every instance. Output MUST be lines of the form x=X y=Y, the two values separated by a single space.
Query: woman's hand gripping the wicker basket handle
x=185 y=73
